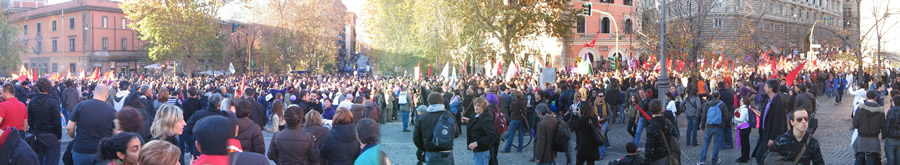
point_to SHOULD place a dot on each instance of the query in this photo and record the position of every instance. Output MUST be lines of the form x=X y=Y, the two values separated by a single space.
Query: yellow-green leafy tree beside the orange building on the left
x=177 y=30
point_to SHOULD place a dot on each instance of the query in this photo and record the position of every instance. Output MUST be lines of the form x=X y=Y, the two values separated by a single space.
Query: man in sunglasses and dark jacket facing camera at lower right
x=790 y=144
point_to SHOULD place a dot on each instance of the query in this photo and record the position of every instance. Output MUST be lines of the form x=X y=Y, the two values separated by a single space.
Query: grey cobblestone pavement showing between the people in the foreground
x=833 y=135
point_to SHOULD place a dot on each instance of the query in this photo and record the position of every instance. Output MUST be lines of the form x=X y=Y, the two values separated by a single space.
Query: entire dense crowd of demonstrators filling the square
x=334 y=118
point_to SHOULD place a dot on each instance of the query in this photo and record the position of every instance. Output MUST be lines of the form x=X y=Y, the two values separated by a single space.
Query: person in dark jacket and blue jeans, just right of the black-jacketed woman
x=517 y=121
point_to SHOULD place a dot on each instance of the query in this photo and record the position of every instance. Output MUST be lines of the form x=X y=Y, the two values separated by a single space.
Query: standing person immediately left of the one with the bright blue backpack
x=692 y=108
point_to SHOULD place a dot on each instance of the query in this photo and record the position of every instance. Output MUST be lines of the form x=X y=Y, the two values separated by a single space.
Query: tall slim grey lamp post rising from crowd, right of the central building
x=663 y=81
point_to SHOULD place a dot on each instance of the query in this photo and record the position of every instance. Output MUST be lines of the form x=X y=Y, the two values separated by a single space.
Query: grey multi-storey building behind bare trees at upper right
x=781 y=26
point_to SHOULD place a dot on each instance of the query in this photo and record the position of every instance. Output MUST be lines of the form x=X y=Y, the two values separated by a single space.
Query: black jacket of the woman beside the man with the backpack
x=481 y=129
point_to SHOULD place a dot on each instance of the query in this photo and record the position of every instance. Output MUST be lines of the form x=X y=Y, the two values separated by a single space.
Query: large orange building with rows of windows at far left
x=78 y=35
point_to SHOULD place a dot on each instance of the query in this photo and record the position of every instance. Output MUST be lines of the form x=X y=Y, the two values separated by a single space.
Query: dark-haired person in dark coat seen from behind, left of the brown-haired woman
x=293 y=145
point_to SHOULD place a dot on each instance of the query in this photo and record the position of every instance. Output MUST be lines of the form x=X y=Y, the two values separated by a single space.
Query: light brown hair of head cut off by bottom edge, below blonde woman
x=158 y=152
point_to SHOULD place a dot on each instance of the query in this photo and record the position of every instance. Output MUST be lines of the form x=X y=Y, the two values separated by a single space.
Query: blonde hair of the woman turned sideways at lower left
x=167 y=117
